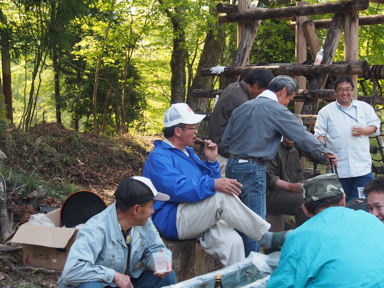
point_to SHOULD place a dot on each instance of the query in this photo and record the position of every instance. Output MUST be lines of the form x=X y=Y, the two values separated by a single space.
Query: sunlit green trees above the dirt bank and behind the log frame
x=126 y=61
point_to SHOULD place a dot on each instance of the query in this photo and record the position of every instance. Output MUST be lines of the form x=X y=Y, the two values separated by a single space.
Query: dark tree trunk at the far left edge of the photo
x=6 y=65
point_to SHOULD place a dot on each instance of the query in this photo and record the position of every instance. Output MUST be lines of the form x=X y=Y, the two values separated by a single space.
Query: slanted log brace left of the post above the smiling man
x=330 y=46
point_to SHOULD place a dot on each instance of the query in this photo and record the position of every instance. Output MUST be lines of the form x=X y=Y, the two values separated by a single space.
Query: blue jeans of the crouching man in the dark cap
x=146 y=280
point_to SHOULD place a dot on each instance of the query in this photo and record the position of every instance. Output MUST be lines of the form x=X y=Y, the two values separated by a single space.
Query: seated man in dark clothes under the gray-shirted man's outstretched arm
x=284 y=176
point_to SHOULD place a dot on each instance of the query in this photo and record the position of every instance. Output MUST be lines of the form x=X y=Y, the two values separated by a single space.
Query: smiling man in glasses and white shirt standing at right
x=345 y=126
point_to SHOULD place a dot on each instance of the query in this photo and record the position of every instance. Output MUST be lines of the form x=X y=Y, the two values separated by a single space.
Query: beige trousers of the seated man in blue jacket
x=213 y=222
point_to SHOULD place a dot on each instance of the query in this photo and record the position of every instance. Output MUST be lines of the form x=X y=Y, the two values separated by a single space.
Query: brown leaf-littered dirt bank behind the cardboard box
x=59 y=156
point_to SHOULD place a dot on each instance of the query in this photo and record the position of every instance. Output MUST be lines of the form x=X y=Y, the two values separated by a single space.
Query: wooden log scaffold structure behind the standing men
x=345 y=18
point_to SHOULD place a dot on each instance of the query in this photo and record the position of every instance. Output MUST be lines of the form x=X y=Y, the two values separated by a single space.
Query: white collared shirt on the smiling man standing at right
x=335 y=122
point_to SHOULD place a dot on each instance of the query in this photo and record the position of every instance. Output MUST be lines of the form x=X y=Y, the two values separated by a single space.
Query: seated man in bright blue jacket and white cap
x=202 y=205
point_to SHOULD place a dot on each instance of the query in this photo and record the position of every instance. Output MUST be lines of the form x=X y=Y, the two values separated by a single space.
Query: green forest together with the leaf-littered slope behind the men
x=113 y=67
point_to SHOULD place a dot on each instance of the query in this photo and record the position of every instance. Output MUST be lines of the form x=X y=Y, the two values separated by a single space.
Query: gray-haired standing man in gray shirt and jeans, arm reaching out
x=253 y=135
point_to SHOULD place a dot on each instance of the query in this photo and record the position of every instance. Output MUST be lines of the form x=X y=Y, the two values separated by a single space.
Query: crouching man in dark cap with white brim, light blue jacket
x=110 y=245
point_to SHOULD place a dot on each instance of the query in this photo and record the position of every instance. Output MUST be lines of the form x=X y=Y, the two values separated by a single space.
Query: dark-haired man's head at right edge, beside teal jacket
x=374 y=192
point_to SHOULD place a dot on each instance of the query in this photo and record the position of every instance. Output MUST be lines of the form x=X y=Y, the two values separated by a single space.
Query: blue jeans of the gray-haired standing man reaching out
x=253 y=177
